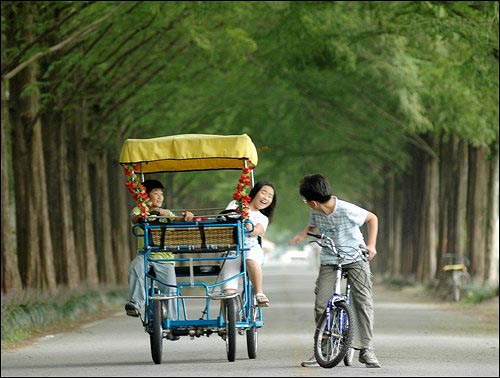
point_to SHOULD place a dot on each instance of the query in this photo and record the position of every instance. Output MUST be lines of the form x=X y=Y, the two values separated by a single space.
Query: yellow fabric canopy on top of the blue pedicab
x=189 y=152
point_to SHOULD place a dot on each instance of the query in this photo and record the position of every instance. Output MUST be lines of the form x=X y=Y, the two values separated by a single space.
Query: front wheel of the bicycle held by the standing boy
x=333 y=338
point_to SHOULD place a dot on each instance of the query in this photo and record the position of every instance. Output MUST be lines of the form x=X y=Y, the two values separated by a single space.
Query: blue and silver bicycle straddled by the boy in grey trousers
x=335 y=329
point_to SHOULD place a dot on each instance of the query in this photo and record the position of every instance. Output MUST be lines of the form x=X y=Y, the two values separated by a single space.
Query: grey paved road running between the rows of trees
x=413 y=338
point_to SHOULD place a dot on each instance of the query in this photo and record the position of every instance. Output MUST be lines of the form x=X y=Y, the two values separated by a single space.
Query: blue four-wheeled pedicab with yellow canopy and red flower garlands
x=200 y=248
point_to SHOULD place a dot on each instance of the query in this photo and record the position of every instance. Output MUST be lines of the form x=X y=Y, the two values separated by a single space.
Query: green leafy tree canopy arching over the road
x=340 y=88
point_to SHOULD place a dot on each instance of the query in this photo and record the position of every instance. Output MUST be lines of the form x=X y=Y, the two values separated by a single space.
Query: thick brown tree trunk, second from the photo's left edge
x=33 y=232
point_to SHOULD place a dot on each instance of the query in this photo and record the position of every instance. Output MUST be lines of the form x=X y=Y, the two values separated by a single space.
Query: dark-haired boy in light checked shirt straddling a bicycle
x=341 y=221
